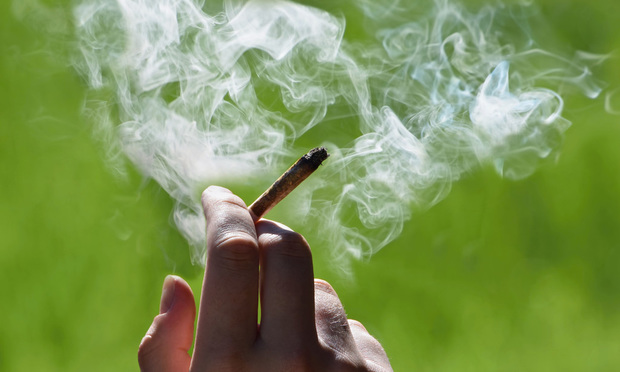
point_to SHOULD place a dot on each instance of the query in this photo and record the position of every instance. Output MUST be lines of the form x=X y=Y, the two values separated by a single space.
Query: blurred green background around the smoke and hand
x=500 y=276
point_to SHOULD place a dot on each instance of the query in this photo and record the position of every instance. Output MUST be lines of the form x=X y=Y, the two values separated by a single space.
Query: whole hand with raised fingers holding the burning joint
x=303 y=326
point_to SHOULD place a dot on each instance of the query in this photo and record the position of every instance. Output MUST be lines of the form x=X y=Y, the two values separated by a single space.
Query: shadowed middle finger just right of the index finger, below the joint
x=287 y=287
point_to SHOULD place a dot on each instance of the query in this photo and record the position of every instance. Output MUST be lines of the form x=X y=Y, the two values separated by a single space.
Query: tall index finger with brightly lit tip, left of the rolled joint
x=228 y=308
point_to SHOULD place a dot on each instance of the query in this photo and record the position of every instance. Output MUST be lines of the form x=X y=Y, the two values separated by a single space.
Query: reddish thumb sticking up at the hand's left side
x=167 y=342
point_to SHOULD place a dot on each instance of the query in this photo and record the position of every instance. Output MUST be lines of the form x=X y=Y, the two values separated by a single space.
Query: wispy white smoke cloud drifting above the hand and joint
x=212 y=92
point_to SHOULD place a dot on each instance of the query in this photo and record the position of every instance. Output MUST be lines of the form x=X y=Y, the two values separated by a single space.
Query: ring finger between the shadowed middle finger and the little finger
x=331 y=321
